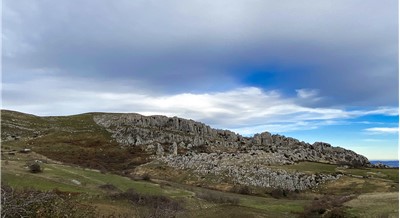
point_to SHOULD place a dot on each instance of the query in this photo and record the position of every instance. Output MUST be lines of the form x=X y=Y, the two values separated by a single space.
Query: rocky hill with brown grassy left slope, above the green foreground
x=132 y=144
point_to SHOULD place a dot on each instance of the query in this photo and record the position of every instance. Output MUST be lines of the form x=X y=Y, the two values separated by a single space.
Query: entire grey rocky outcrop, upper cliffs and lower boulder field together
x=189 y=145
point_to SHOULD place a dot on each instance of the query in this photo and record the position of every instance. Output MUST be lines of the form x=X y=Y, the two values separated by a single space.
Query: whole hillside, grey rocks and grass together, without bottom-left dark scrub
x=178 y=155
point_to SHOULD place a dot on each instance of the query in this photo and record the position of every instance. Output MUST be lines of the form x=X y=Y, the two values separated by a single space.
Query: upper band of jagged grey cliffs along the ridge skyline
x=180 y=136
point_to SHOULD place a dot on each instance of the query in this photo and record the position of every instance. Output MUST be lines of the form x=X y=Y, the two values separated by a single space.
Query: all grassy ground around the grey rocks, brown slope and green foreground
x=81 y=160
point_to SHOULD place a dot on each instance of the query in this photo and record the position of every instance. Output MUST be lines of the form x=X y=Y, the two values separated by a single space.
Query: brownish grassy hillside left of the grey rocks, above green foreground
x=70 y=139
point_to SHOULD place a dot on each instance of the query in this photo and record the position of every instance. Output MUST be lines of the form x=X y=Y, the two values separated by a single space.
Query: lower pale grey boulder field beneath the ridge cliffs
x=248 y=169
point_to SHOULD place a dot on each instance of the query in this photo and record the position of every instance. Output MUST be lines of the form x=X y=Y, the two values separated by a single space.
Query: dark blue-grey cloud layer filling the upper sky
x=348 y=50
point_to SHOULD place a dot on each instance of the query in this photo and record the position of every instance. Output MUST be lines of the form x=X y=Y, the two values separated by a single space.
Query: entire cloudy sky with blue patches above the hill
x=309 y=69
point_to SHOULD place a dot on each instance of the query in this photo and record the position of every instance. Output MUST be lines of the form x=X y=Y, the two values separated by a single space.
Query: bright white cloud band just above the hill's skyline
x=247 y=110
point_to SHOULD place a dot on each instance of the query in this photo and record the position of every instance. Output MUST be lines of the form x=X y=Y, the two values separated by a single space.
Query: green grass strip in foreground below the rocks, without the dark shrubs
x=74 y=179
